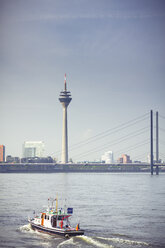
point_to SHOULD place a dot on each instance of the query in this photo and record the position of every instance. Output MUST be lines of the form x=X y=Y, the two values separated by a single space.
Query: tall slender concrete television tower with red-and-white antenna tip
x=65 y=99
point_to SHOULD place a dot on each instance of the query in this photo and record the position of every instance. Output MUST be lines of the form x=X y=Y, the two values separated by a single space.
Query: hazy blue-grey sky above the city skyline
x=113 y=53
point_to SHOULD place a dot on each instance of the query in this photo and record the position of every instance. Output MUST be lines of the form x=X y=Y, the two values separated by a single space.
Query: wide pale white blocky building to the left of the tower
x=33 y=149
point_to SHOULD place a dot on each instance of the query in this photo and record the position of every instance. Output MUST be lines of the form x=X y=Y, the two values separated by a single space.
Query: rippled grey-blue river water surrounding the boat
x=115 y=210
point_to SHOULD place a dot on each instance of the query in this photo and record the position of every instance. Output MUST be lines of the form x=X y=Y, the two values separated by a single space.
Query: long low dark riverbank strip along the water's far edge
x=57 y=168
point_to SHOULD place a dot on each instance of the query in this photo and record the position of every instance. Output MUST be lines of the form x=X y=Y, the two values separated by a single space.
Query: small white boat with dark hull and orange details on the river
x=55 y=221
